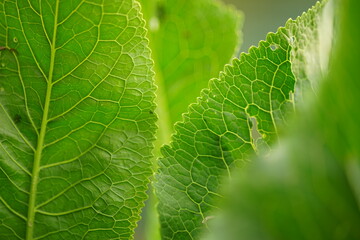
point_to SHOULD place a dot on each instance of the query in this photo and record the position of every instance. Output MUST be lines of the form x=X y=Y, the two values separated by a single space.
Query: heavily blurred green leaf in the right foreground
x=309 y=188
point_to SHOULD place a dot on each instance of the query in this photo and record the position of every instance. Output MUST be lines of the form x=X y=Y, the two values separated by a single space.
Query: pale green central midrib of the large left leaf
x=40 y=142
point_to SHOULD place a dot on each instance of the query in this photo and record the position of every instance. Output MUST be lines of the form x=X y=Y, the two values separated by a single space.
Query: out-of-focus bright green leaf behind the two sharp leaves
x=188 y=51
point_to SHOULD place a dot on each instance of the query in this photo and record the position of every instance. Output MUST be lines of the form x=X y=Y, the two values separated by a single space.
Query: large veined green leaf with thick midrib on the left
x=77 y=122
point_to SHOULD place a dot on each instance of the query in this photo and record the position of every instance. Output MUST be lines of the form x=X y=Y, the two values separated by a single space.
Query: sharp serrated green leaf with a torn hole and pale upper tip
x=239 y=115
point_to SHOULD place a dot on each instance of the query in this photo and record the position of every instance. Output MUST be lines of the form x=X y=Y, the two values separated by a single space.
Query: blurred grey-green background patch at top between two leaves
x=263 y=16
